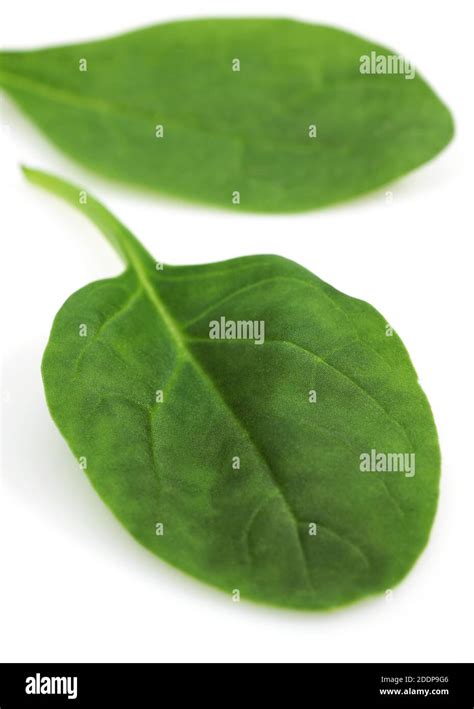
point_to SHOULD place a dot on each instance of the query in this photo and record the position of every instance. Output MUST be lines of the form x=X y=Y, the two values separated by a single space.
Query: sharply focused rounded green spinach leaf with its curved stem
x=255 y=458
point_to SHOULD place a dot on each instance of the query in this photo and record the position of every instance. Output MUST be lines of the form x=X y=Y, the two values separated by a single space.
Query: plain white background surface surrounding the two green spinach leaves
x=74 y=586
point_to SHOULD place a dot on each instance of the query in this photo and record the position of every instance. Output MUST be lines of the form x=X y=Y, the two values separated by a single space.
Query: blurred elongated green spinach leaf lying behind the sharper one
x=261 y=115
